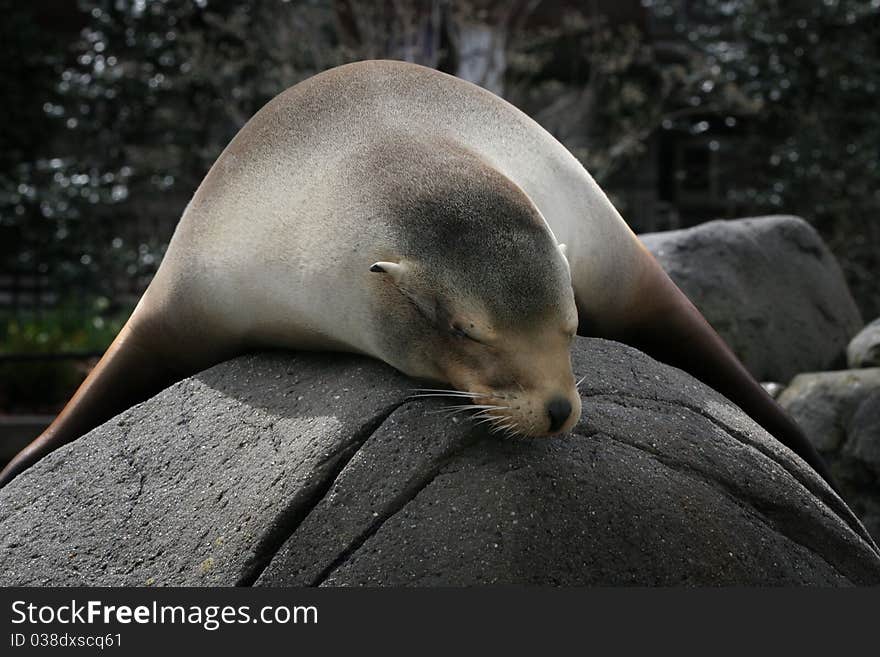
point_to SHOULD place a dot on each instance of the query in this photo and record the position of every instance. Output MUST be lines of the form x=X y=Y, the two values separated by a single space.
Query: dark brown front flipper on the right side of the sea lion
x=661 y=321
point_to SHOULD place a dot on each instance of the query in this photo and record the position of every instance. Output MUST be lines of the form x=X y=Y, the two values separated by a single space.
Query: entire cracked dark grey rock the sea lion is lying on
x=313 y=469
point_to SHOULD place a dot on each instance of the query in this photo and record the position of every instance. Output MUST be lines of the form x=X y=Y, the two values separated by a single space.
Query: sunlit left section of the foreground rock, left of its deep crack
x=193 y=486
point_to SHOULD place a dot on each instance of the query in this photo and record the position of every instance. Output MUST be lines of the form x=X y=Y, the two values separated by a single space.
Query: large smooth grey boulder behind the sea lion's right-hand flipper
x=769 y=286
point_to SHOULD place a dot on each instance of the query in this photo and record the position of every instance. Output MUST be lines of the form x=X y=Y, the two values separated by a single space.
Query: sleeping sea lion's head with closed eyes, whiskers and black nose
x=478 y=296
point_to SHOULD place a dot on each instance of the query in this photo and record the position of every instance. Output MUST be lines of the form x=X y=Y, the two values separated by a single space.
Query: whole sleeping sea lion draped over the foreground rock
x=388 y=209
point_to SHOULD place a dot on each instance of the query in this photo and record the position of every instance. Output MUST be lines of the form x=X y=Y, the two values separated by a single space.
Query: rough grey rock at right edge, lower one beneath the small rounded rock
x=840 y=413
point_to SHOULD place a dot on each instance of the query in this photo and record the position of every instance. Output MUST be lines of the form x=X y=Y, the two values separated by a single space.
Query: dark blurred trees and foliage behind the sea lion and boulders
x=683 y=110
